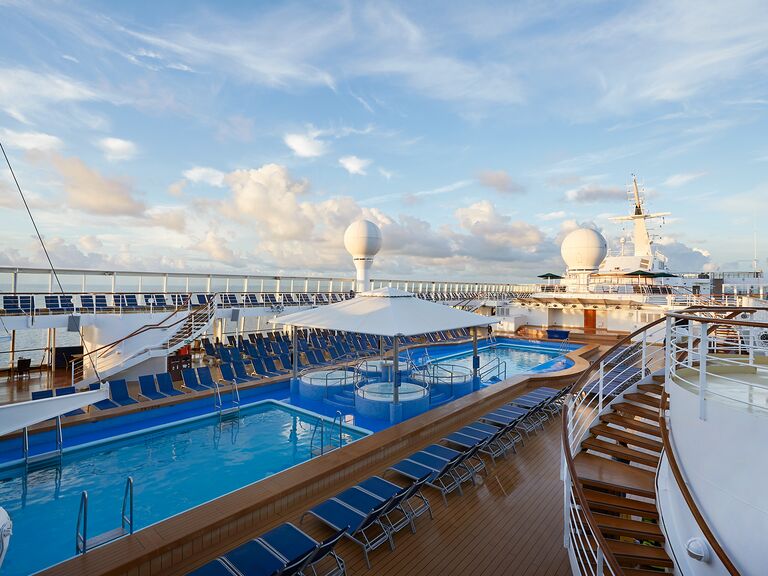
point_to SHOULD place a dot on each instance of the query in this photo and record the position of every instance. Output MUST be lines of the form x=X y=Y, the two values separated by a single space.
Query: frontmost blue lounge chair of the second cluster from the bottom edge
x=358 y=523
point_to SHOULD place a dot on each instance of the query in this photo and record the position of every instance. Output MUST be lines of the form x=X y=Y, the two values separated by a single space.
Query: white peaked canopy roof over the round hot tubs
x=385 y=312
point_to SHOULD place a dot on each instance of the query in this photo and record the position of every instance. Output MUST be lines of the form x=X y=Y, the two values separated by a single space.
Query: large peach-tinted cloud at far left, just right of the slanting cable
x=89 y=191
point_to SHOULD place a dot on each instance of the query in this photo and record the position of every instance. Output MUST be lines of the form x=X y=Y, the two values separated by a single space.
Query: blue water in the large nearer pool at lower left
x=173 y=470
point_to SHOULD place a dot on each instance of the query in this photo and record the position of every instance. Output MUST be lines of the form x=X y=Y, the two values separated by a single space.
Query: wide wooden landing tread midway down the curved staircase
x=600 y=472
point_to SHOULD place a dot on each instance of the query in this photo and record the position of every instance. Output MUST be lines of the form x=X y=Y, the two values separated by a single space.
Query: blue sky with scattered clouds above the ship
x=245 y=136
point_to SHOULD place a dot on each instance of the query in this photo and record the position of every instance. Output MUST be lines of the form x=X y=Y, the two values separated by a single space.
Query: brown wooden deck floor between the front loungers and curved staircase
x=509 y=524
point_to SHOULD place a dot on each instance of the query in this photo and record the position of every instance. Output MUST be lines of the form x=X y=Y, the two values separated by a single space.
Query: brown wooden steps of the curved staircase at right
x=616 y=470
